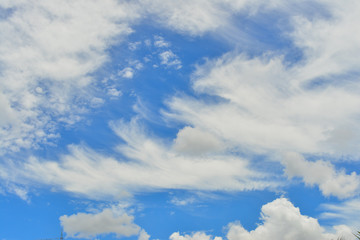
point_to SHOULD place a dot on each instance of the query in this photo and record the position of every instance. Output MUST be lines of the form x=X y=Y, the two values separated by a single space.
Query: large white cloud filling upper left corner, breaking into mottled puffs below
x=48 y=51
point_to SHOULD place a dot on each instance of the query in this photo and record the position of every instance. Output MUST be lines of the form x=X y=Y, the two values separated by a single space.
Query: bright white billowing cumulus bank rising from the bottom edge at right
x=280 y=220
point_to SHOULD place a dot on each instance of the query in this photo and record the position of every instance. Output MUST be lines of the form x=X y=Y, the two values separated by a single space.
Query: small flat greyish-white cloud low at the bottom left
x=88 y=225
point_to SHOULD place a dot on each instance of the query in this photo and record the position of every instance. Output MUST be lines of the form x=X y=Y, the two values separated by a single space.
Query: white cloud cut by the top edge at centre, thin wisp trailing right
x=202 y=16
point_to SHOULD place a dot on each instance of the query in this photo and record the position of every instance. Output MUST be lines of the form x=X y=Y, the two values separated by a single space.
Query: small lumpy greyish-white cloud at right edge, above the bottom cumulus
x=323 y=174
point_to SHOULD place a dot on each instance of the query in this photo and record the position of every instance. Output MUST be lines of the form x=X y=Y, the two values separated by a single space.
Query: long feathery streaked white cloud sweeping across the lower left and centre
x=145 y=164
